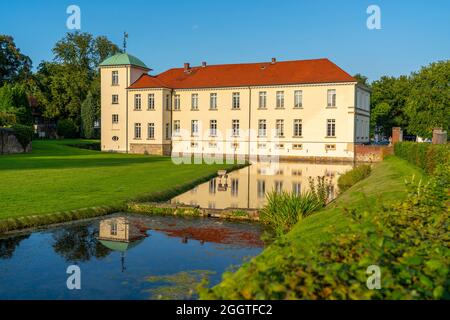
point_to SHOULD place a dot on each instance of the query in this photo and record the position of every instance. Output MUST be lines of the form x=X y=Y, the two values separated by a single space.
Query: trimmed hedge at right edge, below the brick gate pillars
x=424 y=155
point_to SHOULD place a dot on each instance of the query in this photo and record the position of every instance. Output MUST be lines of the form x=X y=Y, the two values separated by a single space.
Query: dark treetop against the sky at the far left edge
x=14 y=66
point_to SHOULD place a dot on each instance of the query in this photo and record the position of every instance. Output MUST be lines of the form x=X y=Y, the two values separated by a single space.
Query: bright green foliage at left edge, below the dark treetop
x=14 y=105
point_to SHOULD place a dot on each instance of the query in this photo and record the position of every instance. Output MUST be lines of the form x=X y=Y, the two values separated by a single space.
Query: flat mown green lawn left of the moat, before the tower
x=56 y=177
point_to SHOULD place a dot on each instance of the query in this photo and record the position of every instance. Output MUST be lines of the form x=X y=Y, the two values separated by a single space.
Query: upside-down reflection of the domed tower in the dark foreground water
x=121 y=234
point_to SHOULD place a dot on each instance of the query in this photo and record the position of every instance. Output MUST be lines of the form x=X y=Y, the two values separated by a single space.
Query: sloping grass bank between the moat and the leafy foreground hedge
x=385 y=184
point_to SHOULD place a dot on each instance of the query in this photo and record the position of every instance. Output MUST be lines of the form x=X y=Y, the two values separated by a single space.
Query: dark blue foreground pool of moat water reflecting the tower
x=124 y=256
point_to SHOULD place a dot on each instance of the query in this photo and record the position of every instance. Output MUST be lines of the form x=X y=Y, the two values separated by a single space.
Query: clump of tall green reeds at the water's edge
x=283 y=209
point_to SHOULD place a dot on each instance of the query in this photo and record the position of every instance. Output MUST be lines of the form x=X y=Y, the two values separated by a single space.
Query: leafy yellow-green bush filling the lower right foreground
x=407 y=240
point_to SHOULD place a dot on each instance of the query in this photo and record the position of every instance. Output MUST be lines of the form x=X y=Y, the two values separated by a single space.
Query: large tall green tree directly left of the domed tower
x=64 y=83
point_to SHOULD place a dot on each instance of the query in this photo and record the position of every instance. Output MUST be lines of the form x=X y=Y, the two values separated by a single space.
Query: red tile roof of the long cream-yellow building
x=248 y=74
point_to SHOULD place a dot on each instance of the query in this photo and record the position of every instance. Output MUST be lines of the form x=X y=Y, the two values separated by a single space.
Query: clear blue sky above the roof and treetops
x=165 y=34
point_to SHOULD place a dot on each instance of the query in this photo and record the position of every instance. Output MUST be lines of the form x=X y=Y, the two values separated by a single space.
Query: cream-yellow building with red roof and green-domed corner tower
x=310 y=109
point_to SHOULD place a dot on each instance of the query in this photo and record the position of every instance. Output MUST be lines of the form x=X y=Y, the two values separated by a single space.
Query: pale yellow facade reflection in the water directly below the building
x=247 y=188
